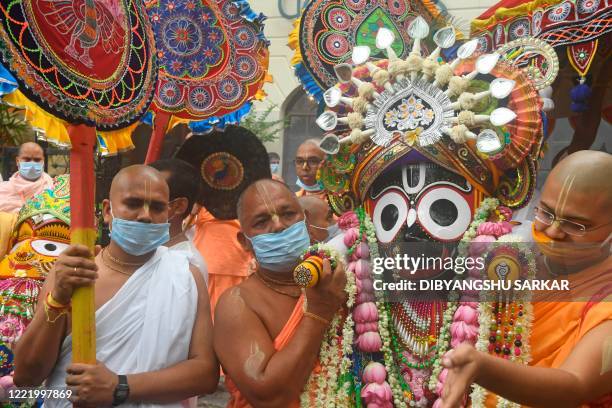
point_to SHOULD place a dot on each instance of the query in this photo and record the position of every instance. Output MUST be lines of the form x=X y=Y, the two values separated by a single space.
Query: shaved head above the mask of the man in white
x=138 y=193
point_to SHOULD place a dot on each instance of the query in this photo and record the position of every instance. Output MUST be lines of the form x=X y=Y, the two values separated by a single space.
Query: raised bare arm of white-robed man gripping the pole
x=38 y=349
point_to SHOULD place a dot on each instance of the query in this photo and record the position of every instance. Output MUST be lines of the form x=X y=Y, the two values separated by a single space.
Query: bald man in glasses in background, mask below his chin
x=308 y=159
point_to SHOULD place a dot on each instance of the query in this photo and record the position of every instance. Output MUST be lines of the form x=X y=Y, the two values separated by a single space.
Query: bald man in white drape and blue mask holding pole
x=153 y=327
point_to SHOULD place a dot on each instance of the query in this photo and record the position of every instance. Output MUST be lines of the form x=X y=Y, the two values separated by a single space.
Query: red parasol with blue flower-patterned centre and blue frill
x=213 y=61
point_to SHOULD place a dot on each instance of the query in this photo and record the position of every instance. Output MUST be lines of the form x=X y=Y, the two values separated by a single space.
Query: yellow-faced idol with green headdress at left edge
x=41 y=232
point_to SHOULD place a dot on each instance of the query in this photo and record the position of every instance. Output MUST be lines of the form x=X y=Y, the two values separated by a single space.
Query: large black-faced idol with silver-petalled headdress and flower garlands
x=437 y=145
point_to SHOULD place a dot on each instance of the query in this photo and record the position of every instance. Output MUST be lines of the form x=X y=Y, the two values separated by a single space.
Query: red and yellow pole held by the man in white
x=82 y=231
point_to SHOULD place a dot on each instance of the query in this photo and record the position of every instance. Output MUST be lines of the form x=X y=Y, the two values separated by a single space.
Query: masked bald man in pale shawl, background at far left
x=28 y=181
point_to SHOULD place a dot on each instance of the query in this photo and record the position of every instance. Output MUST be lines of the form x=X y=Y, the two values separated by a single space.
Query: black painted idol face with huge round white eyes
x=420 y=202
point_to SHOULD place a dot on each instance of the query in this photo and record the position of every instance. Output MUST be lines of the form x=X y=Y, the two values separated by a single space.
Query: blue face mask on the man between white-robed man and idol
x=280 y=251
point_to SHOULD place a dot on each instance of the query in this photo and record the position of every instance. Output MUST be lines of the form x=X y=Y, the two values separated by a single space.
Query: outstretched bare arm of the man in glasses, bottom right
x=582 y=377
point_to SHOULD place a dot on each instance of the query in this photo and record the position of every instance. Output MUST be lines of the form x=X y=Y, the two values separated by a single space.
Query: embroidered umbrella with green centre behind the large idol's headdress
x=327 y=31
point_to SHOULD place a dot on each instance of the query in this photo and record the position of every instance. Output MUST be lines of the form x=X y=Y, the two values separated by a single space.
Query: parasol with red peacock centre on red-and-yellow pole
x=82 y=66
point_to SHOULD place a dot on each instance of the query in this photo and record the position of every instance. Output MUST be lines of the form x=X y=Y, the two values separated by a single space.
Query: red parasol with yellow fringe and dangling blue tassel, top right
x=580 y=31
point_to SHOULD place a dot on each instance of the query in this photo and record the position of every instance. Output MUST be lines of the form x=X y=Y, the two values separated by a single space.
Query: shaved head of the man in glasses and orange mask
x=579 y=189
